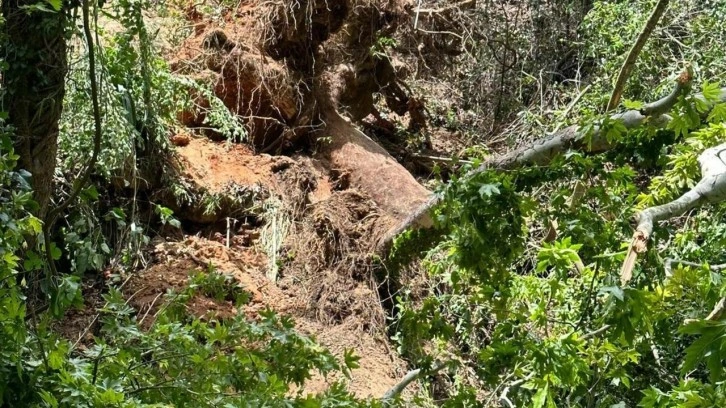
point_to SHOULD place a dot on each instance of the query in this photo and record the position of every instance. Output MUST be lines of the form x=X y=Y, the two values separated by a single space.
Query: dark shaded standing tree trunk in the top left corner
x=35 y=50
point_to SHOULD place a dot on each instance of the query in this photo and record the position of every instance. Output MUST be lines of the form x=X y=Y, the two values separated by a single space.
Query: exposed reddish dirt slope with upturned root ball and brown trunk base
x=308 y=253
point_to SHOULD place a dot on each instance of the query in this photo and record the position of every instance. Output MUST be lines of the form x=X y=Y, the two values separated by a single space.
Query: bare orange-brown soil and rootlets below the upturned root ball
x=324 y=295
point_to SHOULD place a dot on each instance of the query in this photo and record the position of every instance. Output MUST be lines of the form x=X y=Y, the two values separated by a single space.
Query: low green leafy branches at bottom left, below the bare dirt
x=180 y=360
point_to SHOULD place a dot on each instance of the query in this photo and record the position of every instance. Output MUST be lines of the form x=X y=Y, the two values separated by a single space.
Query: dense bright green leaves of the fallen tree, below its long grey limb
x=549 y=318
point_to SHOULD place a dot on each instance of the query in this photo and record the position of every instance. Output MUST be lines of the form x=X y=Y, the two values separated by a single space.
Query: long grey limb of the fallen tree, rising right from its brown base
x=543 y=151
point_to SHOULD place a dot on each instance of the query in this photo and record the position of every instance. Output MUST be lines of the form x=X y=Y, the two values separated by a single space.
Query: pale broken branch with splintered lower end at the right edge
x=711 y=189
